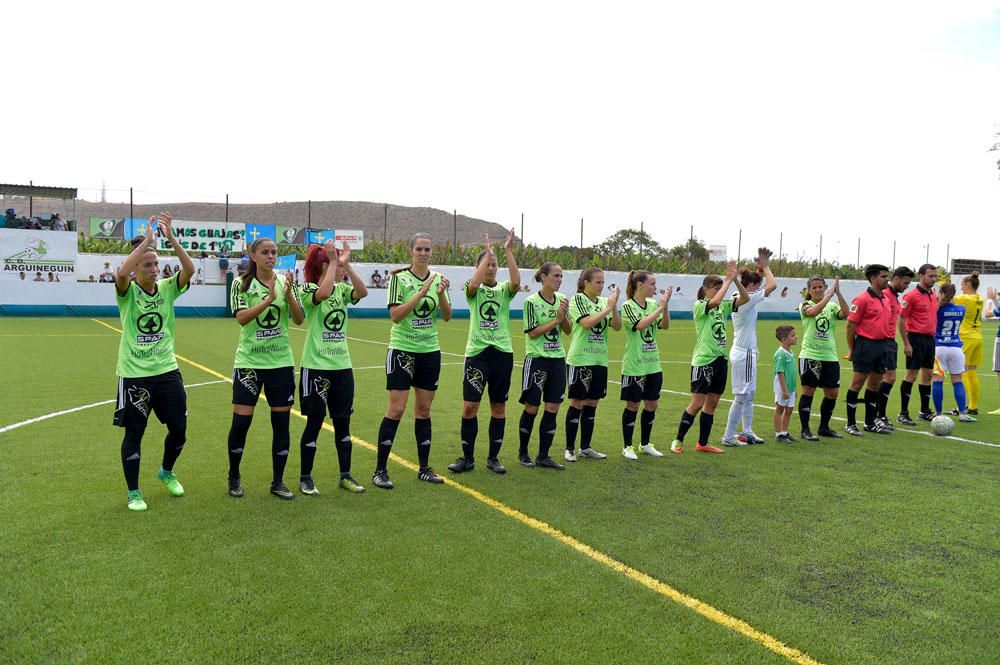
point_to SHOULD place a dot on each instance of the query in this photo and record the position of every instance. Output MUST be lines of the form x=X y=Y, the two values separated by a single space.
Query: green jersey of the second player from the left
x=264 y=342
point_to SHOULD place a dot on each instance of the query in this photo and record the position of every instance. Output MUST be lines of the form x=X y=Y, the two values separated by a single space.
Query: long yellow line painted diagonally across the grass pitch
x=648 y=581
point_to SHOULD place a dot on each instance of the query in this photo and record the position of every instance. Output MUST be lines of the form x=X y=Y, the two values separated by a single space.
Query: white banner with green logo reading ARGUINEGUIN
x=31 y=256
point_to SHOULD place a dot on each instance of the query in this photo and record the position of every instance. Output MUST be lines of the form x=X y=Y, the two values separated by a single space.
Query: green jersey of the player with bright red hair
x=326 y=328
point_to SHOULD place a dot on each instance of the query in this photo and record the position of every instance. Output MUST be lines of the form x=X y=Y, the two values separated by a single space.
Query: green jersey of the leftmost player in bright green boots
x=147 y=344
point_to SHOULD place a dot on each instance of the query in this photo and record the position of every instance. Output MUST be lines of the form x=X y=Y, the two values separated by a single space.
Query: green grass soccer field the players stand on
x=872 y=550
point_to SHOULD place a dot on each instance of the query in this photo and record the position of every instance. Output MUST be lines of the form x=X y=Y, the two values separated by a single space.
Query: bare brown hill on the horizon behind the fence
x=403 y=221
